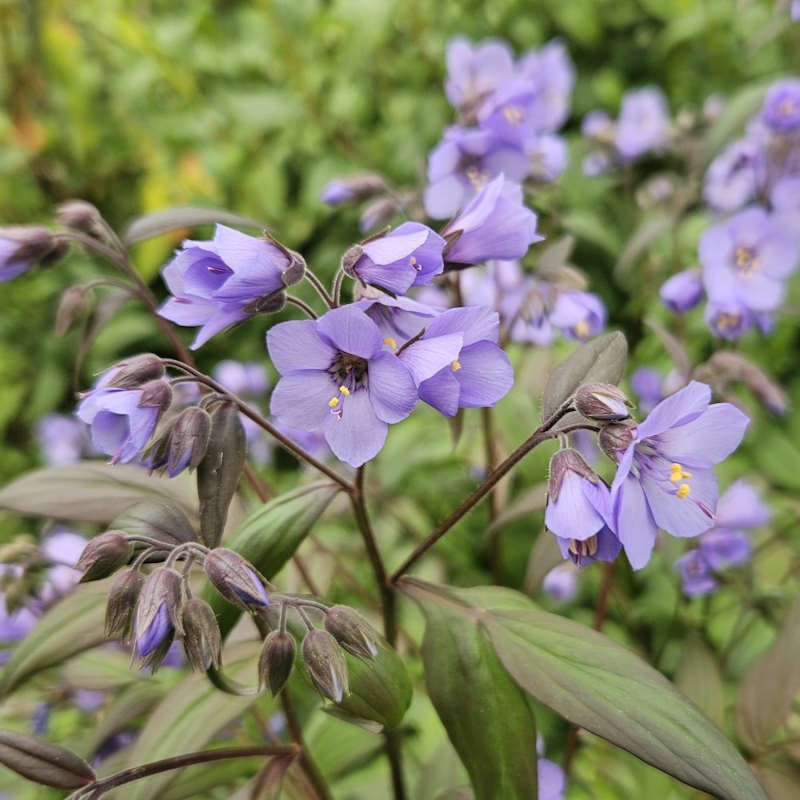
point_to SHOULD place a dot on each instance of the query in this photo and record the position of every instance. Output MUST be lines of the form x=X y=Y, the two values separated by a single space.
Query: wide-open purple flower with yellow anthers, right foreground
x=664 y=477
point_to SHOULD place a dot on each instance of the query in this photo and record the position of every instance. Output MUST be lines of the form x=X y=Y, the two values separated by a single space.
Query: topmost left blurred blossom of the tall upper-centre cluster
x=474 y=71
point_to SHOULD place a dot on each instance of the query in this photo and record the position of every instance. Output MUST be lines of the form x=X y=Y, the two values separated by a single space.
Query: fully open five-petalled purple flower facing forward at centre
x=339 y=377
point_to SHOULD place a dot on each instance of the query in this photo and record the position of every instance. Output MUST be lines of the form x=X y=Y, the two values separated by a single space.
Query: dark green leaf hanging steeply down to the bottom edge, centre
x=485 y=713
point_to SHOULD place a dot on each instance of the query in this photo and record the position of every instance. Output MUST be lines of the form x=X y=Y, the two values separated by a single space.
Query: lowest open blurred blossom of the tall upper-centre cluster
x=463 y=163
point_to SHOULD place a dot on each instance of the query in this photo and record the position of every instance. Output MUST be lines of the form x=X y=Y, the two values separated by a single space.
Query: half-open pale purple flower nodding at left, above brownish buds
x=123 y=420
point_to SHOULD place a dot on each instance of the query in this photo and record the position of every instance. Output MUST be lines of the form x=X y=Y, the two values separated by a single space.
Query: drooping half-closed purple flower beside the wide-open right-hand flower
x=578 y=510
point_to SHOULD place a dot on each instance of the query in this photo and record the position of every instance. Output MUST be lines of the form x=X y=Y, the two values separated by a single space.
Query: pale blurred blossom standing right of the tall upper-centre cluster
x=643 y=125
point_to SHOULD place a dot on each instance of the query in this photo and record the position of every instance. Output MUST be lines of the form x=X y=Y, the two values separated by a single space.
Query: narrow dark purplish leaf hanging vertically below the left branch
x=219 y=471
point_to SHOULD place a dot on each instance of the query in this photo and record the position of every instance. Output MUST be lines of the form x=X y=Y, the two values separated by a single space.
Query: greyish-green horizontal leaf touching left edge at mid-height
x=91 y=491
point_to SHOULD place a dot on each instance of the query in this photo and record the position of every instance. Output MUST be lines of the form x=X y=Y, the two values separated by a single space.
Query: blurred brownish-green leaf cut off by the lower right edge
x=770 y=686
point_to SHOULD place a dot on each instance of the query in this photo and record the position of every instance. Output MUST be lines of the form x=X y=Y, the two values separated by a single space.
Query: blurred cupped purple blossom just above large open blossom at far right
x=735 y=176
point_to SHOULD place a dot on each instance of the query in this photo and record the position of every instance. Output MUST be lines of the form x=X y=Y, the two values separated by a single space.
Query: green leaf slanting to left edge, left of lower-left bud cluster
x=75 y=623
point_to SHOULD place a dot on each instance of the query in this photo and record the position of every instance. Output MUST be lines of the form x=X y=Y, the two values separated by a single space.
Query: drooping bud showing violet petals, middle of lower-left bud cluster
x=158 y=615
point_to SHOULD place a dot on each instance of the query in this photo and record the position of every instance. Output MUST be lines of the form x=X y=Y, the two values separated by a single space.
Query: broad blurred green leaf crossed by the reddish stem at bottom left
x=188 y=718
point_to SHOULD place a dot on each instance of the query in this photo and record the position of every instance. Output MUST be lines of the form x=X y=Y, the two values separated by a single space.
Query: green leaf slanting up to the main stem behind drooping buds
x=269 y=537
